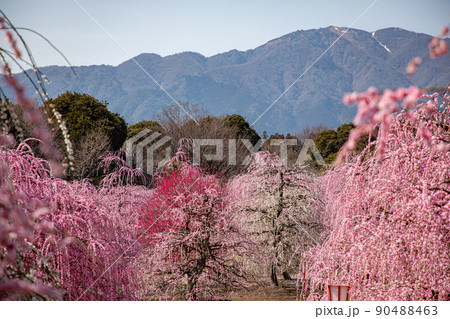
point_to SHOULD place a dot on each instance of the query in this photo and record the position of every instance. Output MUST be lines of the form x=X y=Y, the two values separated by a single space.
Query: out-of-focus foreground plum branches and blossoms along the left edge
x=24 y=271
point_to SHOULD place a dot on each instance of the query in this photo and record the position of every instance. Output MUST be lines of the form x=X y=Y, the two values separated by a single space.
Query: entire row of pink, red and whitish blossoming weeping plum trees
x=379 y=221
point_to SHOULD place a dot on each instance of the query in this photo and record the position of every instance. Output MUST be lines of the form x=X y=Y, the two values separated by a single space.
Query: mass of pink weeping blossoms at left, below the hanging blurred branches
x=86 y=234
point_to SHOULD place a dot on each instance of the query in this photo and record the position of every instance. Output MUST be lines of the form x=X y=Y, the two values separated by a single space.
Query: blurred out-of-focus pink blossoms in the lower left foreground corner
x=19 y=223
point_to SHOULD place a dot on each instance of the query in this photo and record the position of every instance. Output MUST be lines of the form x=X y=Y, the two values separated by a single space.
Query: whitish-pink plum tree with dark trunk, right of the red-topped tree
x=280 y=208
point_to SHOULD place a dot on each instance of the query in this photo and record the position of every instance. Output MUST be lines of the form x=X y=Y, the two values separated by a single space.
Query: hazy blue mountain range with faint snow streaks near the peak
x=248 y=82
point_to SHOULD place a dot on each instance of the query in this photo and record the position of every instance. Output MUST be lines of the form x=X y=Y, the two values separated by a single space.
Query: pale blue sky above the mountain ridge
x=207 y=27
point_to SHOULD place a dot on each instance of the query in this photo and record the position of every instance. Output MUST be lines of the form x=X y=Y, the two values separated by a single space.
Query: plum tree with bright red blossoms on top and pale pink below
x=194 y=248
